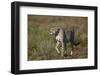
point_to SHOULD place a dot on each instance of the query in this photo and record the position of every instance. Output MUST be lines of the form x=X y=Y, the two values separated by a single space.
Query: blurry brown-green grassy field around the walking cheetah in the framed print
x=41 y=45
